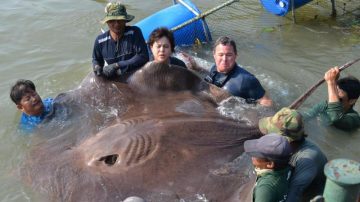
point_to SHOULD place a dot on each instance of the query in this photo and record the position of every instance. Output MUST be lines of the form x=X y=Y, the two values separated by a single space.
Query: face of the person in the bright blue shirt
x=31 y=104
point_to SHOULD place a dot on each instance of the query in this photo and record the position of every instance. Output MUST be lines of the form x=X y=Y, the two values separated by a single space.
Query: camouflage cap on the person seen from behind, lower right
x=286 y=122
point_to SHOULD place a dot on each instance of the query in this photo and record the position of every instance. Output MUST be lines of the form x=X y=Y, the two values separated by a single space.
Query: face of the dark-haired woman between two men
x=161 y=49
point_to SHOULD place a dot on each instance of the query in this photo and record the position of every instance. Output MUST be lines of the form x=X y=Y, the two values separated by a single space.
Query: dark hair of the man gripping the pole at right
x=351 y=85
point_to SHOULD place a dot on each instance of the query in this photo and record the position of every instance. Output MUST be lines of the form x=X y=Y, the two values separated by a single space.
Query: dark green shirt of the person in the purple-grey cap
x=272 y=186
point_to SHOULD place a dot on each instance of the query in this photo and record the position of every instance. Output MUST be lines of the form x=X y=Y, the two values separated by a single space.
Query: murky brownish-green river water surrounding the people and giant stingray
x=50 y=42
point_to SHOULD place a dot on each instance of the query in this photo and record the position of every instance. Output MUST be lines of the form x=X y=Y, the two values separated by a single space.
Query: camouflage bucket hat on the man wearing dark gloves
x=116 y=11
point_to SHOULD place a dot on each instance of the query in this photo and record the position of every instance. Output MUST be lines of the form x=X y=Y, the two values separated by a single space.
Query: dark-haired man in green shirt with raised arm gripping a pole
x=338 y=109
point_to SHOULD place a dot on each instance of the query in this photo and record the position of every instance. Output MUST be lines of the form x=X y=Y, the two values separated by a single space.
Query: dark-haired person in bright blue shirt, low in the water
x=27 y=100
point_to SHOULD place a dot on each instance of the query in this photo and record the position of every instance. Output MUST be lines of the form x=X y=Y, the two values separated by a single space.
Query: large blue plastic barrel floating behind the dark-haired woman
x=173 y=16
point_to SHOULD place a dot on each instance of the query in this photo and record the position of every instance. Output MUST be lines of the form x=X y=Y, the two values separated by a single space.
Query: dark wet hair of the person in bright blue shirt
x=20 y=88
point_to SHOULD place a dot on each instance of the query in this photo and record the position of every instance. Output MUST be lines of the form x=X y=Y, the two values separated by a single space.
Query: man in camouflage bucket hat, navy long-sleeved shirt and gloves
x=120 y=50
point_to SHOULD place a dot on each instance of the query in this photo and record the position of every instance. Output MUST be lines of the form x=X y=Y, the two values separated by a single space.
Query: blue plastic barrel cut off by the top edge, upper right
x=282 y=7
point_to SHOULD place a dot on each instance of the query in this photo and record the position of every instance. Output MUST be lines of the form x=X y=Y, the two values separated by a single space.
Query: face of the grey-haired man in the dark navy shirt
x=224 y=58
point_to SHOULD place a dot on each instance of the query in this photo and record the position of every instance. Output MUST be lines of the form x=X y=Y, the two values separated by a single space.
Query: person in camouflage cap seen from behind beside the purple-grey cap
x=307 y=159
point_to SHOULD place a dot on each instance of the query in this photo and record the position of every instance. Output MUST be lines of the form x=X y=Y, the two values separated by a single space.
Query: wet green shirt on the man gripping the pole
x=333 y=114
